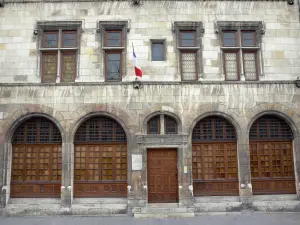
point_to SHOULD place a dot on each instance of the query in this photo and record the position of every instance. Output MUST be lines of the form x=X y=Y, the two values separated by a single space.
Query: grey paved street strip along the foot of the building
x=231 y=219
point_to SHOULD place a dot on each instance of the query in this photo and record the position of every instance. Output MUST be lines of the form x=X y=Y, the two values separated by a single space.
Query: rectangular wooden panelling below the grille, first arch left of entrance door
x=100 y=170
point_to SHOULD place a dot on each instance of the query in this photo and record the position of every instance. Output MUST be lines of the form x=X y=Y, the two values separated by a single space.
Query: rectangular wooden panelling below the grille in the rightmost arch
x=272 y=167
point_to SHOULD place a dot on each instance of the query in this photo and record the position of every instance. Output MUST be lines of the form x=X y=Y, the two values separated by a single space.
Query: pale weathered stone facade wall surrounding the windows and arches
x=161 y=92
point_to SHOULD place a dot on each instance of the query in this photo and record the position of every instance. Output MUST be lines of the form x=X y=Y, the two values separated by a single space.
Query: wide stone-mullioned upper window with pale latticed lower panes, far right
x=240 y=49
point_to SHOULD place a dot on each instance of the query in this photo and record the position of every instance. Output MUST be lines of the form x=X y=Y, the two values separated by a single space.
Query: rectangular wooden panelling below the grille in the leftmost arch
x=36 y=170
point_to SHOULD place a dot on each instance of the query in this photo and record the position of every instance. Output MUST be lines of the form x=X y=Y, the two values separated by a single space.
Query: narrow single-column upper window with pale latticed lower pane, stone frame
x=188 y=45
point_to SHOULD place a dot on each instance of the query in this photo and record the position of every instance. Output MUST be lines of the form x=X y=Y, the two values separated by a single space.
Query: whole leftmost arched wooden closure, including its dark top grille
x=36 y=159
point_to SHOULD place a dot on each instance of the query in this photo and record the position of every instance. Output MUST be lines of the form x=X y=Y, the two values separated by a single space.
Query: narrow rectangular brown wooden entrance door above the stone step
x=162 y=176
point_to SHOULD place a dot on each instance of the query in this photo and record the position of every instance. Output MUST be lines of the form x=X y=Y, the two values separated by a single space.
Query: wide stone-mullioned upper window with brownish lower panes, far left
x=59 y=50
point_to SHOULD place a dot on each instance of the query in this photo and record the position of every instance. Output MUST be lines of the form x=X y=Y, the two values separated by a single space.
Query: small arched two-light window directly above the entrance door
x=169 y=123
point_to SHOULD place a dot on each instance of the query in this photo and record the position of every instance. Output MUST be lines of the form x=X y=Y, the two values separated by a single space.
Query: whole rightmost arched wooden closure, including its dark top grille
x=271 y=156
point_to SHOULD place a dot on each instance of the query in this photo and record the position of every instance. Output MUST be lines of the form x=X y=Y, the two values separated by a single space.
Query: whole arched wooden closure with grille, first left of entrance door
x=100 y=159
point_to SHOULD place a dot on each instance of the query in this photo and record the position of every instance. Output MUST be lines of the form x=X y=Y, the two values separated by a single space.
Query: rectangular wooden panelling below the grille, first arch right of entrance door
x=215 y=169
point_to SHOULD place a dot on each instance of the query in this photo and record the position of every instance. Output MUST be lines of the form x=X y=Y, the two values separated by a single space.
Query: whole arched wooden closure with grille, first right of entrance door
x=215 y=168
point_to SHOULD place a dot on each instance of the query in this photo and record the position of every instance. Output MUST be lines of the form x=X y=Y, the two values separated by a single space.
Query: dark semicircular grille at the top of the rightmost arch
x=270 y=128
